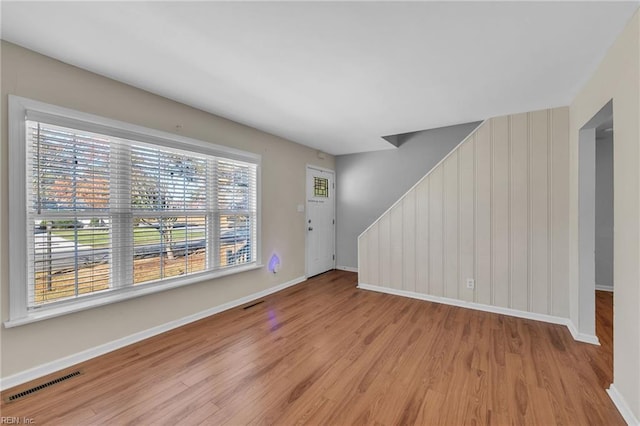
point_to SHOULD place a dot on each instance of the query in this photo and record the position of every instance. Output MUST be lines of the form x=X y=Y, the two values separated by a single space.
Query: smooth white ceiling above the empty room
x=333 y=76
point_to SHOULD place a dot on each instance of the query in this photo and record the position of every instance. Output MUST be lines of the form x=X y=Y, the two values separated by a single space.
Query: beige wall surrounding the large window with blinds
x=27 y=74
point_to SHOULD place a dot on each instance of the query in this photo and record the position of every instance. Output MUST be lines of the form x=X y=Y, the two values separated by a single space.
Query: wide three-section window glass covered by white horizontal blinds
x=106 y=213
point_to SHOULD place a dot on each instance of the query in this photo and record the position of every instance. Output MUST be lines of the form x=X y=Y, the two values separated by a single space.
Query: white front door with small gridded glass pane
x=320 y=223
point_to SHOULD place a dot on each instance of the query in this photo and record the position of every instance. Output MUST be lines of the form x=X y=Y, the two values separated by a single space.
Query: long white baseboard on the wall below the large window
x=68 y=361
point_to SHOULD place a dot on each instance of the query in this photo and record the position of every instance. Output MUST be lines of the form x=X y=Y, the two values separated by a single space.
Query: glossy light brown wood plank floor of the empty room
x=324 y=352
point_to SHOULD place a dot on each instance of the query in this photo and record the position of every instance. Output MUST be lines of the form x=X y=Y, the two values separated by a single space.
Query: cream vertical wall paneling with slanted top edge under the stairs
x=494 y=210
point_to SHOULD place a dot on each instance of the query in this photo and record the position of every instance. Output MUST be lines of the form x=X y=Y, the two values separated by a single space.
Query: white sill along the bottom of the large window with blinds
x=93 y=301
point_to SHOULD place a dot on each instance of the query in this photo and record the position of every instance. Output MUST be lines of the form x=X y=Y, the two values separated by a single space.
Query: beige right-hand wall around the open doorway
x=617 y=78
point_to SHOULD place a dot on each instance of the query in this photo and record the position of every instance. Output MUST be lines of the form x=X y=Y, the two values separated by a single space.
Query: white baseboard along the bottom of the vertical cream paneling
x=581 y=337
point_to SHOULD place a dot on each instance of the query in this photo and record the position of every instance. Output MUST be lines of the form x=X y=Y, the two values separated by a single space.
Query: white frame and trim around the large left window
x=21 y=109
